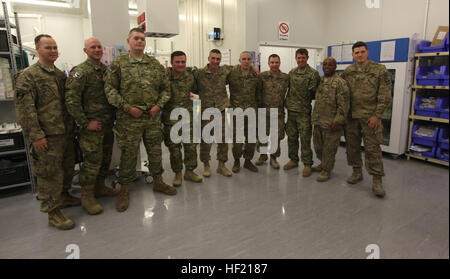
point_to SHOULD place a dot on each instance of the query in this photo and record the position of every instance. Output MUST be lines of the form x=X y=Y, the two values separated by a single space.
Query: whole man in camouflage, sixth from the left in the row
x=244 y=82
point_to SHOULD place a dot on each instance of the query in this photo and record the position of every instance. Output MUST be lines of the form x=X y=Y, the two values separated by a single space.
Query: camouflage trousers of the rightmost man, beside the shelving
x=355 y=129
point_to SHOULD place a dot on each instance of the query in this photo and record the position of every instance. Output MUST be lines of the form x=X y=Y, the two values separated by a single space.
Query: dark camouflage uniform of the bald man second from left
x=86 y=101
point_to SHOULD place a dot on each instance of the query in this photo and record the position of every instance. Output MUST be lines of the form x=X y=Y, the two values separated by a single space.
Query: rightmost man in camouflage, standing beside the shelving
x=370 y=95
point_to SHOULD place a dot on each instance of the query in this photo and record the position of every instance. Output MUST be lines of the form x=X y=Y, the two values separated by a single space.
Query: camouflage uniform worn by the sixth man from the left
x=243 y=94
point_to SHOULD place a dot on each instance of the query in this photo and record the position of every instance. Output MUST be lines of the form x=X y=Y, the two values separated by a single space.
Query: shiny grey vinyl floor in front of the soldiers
x=271 y=214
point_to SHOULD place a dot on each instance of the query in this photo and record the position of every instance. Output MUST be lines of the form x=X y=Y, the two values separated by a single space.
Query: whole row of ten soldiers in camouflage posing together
x=132 y=100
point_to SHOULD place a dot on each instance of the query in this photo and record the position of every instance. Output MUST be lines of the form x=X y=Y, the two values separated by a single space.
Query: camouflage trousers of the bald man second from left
x=97 y=151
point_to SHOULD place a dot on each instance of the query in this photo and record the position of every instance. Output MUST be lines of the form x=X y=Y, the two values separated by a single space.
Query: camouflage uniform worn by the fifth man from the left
x=211 y=88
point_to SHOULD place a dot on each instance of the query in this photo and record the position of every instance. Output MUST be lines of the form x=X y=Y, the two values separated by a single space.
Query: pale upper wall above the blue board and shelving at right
x=351 y=20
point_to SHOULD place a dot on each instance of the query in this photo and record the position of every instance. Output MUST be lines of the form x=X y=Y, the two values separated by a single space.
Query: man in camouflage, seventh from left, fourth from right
x=273 y=88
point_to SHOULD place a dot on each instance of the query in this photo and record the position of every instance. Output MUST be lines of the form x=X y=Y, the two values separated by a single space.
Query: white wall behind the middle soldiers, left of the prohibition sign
x=197 y=17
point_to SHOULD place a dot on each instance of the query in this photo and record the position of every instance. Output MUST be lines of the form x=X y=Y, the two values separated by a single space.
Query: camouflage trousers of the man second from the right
x=326 y=144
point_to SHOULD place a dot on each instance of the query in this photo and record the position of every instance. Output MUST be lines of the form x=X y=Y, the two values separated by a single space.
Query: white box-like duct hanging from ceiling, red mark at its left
x=158 y=18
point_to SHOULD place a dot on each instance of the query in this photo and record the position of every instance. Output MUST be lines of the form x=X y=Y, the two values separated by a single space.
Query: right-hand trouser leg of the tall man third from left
x=153 y=138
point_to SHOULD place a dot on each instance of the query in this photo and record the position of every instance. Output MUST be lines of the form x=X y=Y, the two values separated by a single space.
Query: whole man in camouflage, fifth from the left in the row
x=211 y=86
